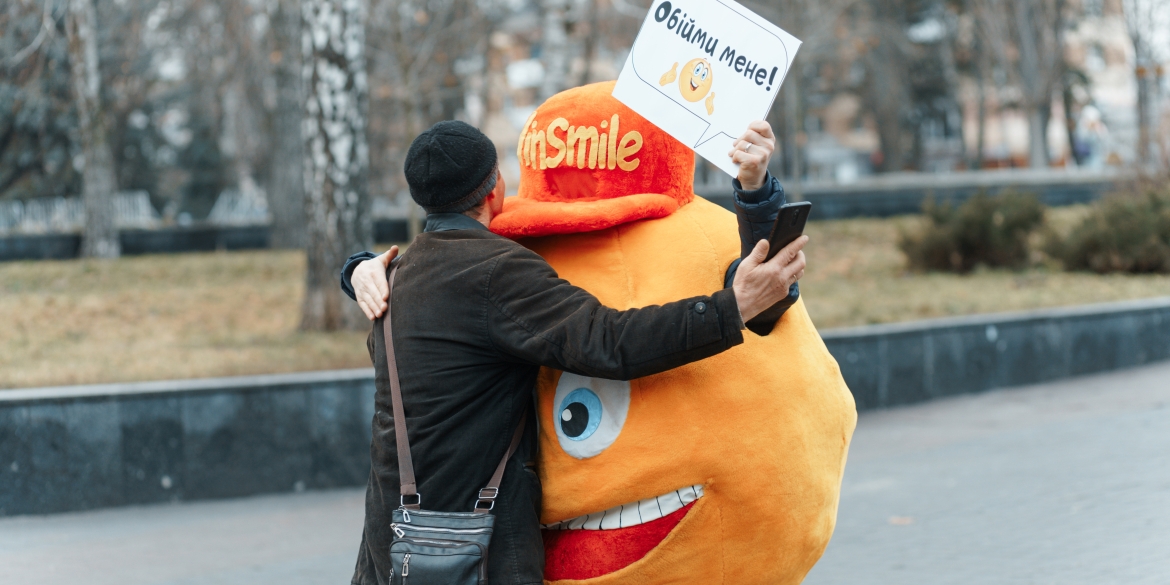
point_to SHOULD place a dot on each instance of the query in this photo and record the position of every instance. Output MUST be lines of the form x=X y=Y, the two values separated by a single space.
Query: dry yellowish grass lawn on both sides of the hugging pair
x=228 y=314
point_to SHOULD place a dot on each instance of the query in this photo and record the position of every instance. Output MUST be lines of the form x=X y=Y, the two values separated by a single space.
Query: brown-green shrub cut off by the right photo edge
x=1124 y=233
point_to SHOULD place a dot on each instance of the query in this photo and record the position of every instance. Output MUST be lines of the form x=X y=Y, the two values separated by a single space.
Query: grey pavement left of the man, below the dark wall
x=288 y=540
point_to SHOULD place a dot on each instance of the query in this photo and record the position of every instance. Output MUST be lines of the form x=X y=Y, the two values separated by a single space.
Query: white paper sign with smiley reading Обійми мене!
x=703 y=71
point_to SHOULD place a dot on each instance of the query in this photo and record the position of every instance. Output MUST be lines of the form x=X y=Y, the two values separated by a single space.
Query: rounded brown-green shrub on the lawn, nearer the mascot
x=988 y=231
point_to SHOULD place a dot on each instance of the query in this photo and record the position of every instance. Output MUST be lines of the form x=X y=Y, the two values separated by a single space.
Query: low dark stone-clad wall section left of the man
x=81 y=448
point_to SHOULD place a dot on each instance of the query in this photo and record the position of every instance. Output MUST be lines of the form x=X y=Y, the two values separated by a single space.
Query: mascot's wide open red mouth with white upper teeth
x=604 y=542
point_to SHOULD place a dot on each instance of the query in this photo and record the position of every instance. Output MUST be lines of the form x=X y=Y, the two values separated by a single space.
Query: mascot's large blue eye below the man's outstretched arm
x=589 y=414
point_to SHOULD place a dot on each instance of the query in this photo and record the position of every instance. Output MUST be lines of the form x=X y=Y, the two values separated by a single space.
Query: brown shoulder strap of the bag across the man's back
x=409 y=487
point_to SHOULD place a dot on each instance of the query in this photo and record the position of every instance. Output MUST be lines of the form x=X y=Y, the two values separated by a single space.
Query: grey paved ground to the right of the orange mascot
x=1065 y=484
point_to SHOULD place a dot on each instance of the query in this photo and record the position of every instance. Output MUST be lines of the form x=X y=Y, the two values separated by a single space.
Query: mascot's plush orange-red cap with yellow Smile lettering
x=589 y=163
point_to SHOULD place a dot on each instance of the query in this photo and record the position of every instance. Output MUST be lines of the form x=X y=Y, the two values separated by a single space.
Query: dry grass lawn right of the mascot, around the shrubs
x=857 y=277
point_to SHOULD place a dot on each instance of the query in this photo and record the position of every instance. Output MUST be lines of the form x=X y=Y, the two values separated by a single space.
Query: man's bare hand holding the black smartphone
x=761 y=285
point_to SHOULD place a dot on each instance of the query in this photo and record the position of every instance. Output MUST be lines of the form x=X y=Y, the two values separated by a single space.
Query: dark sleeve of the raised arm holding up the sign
x=756 y=211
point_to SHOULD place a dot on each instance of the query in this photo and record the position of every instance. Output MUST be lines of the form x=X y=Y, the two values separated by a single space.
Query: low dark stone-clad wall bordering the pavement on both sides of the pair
x=81 y=448
